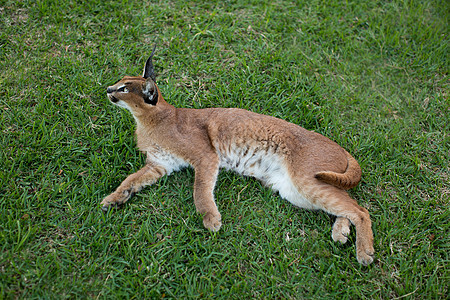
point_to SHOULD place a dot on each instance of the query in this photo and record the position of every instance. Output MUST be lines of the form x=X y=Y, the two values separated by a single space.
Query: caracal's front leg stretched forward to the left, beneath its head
x=133 y=184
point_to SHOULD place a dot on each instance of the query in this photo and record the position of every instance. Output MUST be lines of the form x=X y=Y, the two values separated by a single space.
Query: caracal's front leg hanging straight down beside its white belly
x=205 y=179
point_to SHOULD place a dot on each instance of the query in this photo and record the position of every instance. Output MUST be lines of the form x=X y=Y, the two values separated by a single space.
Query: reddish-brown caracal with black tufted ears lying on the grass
x=306 y=168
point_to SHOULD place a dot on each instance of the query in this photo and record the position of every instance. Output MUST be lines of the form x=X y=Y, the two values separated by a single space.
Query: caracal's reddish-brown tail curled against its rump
x=346 y=180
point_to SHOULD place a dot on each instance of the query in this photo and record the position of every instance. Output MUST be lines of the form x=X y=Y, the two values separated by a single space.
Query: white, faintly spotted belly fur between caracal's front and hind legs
x=269 y=168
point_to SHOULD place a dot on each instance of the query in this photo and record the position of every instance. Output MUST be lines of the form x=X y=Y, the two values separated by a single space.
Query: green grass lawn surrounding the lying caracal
x=371 y=75
